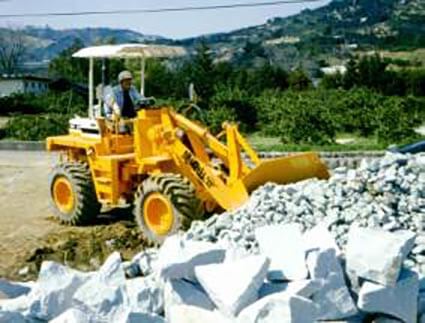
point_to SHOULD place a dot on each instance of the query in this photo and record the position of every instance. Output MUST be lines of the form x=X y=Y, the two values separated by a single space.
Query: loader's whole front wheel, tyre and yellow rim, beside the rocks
x=177 y=194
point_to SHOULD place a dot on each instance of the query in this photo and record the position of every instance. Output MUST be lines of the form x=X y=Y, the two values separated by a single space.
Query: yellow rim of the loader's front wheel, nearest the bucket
x=158 y=213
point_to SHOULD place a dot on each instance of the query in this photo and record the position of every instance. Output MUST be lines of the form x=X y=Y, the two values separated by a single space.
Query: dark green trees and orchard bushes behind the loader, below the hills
x=370 y=100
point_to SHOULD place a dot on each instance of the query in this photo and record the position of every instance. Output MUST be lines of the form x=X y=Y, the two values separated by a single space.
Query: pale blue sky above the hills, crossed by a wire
x=175 y=25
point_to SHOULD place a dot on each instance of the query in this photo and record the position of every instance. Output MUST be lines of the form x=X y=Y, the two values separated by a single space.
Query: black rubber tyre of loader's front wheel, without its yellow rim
x=182 y=196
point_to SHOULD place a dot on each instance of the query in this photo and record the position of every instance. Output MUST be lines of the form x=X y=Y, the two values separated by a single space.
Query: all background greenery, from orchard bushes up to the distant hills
x=267 y=78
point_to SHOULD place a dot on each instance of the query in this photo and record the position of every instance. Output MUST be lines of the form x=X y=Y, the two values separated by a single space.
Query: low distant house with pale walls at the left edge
x=10 y=84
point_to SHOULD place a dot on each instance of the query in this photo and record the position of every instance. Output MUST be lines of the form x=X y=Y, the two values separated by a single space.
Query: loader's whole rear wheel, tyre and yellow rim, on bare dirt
x=72 y=194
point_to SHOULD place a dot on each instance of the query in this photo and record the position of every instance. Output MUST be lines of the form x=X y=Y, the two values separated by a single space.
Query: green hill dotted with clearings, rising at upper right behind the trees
x=325 y=35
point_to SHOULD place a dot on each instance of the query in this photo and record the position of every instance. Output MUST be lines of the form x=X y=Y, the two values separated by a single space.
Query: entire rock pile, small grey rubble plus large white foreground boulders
x=350 y=249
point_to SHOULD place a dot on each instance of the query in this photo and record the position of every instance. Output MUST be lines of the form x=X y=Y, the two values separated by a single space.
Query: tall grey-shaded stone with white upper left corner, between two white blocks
x=333 y=298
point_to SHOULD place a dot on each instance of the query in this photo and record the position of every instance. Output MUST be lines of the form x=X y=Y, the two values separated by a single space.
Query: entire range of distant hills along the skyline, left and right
x=311 y=39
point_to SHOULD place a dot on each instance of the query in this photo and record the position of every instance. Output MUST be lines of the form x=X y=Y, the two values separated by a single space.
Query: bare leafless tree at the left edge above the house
x=12 y=50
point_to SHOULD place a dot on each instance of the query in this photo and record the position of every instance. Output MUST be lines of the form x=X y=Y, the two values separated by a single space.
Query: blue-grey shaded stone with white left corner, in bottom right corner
x=399 y=301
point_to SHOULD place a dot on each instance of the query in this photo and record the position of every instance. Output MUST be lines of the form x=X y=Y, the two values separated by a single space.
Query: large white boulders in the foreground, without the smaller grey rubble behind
x=295 y=277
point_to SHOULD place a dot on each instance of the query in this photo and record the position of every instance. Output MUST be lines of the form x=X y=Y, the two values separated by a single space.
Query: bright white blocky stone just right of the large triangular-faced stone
x=284 y=246
